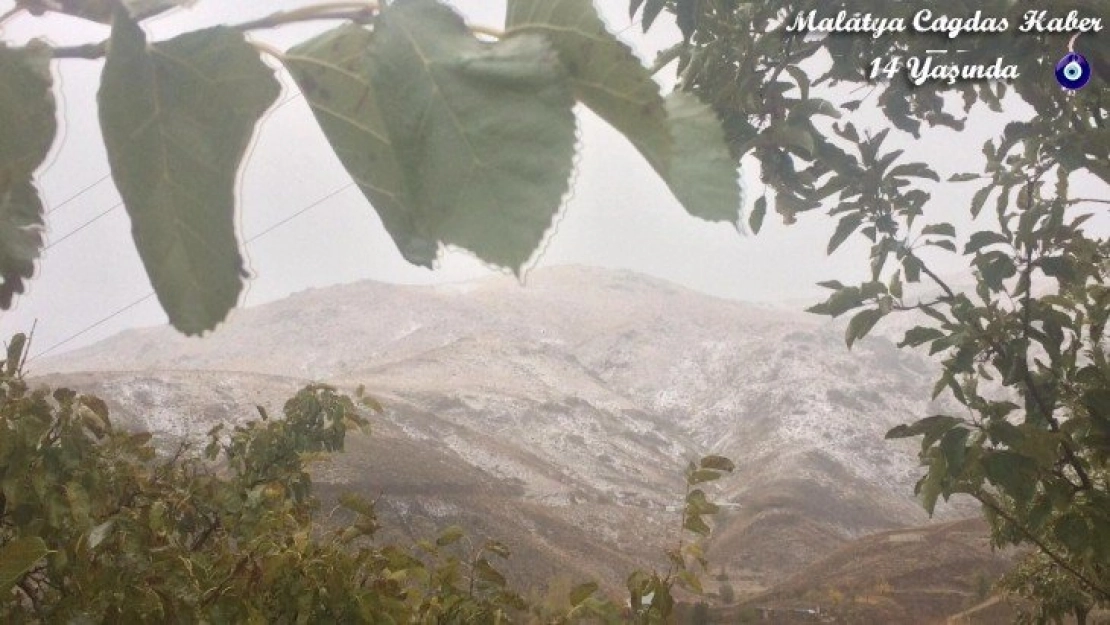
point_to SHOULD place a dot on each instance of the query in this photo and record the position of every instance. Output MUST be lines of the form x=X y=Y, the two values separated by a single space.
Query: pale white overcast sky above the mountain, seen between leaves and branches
x=620 y=216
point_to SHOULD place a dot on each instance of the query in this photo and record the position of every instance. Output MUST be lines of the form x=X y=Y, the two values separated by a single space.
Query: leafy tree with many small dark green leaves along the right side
x=1025 y=348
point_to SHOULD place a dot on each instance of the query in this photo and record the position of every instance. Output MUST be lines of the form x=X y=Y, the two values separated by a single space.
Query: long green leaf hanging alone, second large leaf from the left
x=177 y=119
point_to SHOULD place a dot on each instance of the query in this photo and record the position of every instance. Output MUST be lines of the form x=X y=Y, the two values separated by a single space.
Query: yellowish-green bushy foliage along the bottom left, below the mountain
x=98 y=527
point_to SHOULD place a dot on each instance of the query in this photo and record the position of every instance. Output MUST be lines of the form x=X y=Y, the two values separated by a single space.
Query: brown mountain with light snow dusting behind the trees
x=559 y=415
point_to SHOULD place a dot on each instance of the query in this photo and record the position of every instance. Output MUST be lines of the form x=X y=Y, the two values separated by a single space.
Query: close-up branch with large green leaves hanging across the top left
x=457 y=136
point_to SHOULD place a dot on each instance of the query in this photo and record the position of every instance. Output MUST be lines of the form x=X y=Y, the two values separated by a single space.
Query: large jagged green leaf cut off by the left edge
x=27 y=117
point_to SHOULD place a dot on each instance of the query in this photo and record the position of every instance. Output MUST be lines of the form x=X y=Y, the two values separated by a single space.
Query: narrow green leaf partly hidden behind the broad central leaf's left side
x=334 y=74
